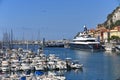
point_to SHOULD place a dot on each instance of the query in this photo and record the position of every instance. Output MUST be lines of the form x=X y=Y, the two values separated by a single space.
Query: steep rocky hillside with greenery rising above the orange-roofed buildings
x=113 y=19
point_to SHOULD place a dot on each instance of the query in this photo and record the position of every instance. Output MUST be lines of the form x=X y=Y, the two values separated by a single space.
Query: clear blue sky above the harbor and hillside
x=52 y=19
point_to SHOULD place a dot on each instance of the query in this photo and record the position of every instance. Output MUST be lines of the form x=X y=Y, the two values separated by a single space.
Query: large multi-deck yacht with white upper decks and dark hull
x=84 y=41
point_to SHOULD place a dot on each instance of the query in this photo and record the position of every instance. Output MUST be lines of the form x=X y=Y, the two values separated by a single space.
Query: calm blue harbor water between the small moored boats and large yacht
x=96 y=65
